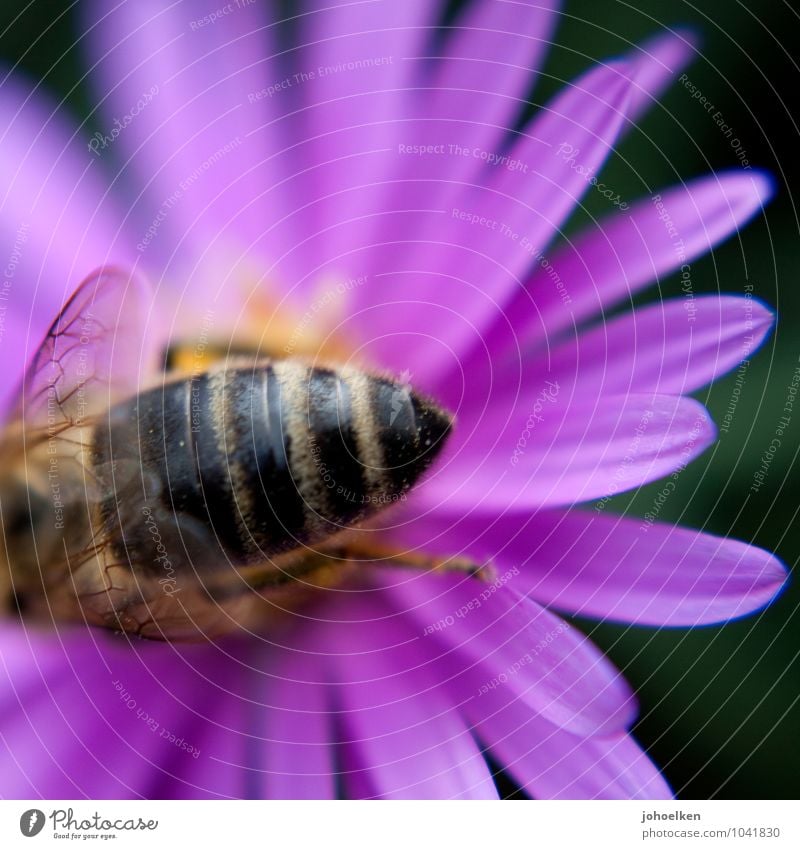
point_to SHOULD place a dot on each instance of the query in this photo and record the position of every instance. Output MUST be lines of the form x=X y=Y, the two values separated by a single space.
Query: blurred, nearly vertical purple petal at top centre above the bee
x=352 y=78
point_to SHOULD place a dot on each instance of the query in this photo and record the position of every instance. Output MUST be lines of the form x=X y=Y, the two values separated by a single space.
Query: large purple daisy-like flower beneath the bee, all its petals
x=354 y=189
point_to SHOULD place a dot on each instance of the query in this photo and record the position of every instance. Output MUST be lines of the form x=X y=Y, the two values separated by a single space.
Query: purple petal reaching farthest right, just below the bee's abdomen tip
x=606 y=566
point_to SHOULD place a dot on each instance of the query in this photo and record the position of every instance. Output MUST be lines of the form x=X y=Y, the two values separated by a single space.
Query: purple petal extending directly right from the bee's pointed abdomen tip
x=559 y=452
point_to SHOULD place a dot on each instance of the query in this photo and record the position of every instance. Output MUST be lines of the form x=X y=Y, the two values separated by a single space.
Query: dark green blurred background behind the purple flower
x=719 y=706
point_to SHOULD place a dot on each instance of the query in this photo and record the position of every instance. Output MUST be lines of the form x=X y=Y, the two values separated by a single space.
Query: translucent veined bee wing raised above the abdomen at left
x=91 y=356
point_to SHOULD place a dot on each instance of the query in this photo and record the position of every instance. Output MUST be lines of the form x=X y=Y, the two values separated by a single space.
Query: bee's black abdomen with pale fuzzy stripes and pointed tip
x=235 y=466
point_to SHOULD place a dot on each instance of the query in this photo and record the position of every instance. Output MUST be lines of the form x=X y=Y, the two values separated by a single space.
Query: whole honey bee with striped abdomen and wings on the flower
x=176 y=506
